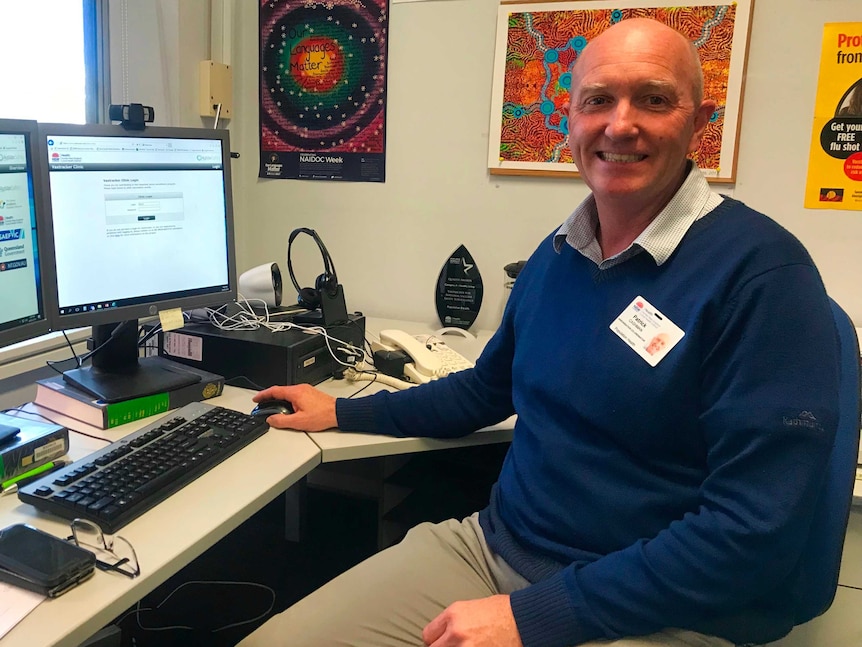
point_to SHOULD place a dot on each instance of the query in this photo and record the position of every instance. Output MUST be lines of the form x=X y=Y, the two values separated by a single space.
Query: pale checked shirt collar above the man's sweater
x=692 y=201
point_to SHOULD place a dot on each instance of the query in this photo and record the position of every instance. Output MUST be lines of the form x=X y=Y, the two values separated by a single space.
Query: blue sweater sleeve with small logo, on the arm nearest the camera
x=768 y=415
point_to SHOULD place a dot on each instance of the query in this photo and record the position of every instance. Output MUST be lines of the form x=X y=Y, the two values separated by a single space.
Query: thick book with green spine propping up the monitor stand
x=56 y=394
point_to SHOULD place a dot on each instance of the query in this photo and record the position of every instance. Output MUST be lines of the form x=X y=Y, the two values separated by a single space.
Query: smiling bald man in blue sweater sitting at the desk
x=646 y=498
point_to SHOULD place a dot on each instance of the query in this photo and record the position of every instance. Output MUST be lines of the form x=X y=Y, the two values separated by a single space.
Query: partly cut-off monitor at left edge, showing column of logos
x=24 y=248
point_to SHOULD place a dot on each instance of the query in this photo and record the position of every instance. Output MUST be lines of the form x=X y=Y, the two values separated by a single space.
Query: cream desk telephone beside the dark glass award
x=432 y=358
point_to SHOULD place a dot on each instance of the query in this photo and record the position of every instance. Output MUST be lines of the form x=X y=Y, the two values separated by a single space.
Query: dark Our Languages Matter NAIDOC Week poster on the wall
x=323 y=89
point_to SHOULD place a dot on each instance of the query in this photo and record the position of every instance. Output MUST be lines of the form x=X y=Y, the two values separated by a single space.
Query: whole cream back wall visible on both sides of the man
x=390 y=240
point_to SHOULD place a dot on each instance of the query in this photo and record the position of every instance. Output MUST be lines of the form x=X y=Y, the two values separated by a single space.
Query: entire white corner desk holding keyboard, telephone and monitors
x=192 y=520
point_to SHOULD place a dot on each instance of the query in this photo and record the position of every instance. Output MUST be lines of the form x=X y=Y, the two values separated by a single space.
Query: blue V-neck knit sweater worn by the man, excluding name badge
x=636 y=498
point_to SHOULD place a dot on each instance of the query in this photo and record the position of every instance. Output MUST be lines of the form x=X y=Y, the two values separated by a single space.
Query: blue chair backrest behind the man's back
x=817 y=574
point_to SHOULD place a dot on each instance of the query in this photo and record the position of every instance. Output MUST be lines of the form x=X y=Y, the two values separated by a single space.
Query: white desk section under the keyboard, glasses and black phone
x=170 y=535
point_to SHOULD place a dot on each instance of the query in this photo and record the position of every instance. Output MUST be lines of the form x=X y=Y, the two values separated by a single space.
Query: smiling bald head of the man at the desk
x=635 y=115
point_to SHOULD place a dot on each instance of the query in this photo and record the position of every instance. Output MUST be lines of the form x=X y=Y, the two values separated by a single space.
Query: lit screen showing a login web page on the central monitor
x=135 y=218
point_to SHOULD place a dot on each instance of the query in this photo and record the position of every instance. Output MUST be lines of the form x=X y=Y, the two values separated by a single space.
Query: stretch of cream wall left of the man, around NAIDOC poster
x=390 y=240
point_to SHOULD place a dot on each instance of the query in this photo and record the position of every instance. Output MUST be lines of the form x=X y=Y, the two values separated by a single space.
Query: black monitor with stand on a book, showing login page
x=142 y=222
